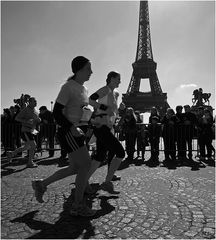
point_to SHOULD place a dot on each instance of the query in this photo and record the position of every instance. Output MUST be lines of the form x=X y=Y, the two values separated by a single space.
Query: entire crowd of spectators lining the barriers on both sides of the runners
x=177 y=129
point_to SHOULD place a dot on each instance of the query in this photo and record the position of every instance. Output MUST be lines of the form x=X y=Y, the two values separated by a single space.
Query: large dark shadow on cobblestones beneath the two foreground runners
x=67 y=227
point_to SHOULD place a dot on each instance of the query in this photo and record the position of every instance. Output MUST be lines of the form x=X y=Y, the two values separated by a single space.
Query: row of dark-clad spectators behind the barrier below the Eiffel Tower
x=177 y=129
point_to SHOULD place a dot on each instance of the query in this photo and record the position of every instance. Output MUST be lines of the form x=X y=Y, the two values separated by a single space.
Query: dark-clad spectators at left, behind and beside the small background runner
x=11 y=129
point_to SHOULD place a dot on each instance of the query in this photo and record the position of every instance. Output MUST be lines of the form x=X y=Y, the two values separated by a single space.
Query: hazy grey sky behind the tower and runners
x=39 y=40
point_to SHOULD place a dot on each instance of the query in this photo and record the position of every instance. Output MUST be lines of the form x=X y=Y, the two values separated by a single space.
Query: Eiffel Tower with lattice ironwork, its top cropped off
x=144 y=68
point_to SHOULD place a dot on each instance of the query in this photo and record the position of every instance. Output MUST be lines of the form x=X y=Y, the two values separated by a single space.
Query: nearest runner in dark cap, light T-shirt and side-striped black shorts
x=68 y=112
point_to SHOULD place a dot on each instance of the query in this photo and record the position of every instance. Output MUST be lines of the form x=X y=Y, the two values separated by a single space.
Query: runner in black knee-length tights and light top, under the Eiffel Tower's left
x=105 y=102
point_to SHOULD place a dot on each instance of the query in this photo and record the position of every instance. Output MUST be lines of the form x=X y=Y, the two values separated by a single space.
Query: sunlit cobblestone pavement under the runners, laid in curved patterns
x=153 y=203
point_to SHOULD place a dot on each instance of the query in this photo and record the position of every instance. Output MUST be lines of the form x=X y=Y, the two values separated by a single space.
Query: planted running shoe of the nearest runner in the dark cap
x=82 y=210
